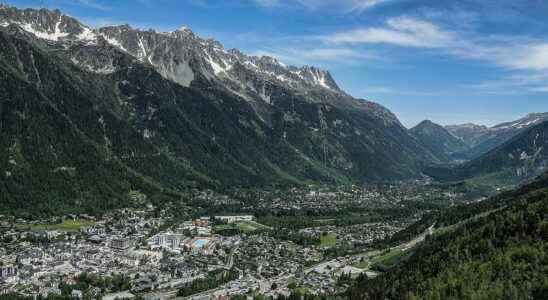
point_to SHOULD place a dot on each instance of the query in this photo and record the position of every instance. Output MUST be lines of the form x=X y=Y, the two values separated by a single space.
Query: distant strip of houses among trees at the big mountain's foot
x=332 y=200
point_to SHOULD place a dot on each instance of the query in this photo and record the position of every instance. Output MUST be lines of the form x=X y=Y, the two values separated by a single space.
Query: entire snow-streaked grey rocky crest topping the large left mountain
x=179 y=55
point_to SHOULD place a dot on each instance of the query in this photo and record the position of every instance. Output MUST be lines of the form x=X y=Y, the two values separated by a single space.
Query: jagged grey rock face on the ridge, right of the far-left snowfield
x=181 y=56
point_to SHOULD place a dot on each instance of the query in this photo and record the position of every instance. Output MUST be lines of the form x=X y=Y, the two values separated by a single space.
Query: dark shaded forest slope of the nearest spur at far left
x=49 y=164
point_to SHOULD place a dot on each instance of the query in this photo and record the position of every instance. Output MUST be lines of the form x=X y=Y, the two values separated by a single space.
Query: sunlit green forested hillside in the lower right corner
x=499 y=254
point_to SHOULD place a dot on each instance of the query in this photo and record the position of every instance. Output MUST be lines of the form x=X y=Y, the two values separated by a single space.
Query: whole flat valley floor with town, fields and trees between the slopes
x=313 y=241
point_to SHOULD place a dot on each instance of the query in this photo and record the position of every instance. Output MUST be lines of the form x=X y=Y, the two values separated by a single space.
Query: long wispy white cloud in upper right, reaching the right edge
x=513 y=52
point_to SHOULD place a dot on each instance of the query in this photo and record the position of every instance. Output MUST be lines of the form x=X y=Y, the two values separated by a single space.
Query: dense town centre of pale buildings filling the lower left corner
x=131 y=242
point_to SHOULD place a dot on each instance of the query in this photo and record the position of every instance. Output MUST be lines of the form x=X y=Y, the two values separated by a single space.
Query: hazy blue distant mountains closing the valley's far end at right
x=505 y=154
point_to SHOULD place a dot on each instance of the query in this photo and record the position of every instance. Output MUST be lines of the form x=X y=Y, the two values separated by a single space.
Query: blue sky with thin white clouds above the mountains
x=481 y=61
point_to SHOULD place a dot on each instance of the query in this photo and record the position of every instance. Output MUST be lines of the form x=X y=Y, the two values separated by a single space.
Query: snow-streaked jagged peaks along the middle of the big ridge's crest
x=209 y=56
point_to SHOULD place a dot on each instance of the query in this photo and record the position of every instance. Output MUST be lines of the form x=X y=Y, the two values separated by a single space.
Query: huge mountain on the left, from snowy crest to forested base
x=88 y=115
